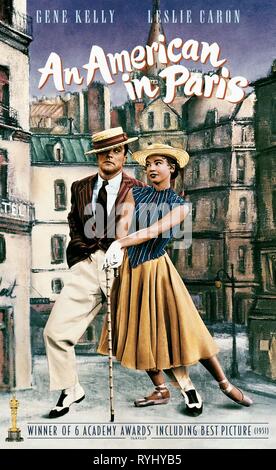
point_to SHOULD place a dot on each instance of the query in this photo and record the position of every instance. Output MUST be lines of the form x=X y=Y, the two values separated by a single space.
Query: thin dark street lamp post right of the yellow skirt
x=218 y=283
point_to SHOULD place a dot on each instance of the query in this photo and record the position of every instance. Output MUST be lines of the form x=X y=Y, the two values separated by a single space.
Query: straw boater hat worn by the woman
x=177 y=154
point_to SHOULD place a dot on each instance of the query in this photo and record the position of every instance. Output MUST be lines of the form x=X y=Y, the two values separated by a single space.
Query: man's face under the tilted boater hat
x=111 y=162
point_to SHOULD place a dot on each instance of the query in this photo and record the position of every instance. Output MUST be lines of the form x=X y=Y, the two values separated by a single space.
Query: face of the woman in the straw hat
x=158 y=170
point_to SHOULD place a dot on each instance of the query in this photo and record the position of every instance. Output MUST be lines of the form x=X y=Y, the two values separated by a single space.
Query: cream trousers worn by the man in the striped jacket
x=78 y=303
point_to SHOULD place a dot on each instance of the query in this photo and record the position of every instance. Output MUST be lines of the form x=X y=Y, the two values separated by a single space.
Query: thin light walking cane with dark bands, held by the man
x=109 y=329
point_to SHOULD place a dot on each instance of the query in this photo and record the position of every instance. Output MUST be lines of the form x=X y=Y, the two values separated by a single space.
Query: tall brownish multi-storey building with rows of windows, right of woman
x=219 y=181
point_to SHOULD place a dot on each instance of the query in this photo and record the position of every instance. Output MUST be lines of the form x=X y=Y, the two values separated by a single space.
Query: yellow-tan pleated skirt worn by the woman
x=155 y=324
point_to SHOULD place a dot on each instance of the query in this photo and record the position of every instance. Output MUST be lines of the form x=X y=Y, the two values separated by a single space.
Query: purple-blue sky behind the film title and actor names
x=249 y=46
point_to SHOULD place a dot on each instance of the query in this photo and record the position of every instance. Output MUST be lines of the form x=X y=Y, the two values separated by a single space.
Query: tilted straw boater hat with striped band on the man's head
x=111 y=138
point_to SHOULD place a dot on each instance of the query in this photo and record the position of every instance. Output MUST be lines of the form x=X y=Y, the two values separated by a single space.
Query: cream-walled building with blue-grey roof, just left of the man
x=57 y=161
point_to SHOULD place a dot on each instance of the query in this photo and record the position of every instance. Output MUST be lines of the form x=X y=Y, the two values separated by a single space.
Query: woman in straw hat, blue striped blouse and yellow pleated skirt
x=156 y=326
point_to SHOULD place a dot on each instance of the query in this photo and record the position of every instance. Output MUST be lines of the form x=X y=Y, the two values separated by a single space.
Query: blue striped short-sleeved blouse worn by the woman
x=151 y=205
